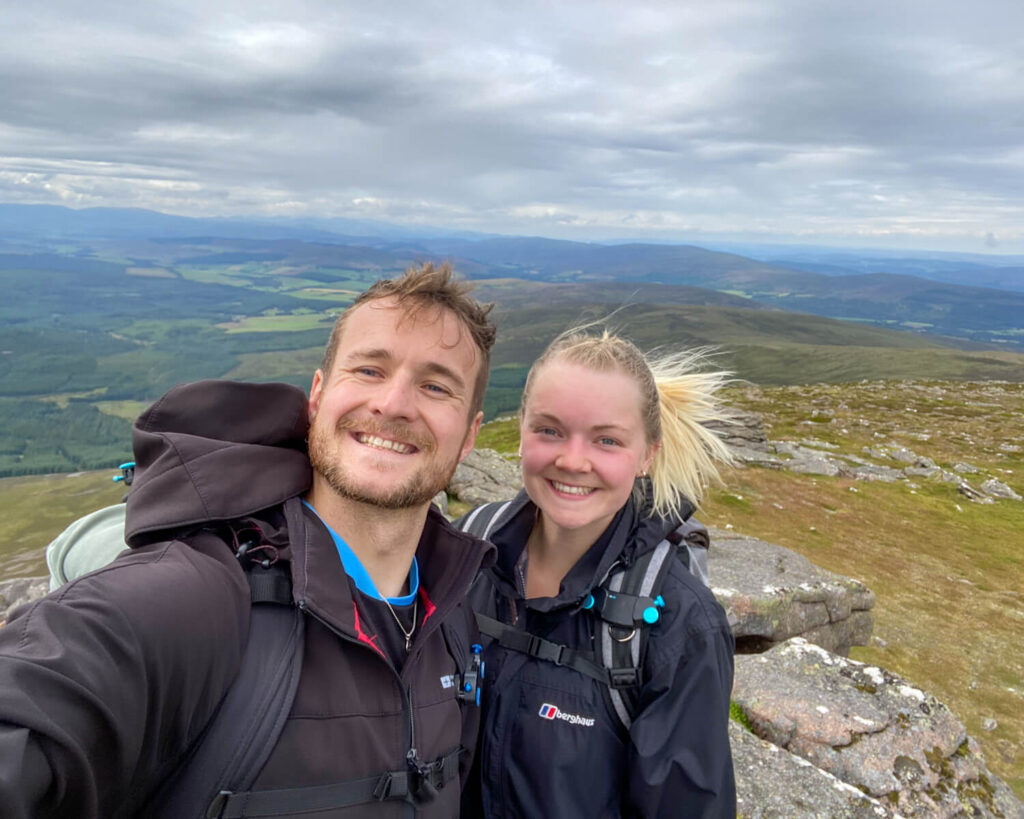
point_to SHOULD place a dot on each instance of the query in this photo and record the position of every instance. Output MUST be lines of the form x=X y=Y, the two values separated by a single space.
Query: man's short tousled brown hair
x=426 y=287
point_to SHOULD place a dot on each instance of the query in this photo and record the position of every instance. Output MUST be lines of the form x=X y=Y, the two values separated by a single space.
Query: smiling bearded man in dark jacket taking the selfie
x=108 y=684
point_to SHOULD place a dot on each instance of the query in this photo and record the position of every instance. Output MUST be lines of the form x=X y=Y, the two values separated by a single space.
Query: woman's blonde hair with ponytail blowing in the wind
x=677 y=398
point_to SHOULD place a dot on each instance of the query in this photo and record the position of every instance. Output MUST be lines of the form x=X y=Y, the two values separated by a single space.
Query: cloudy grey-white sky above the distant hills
x=889 y=123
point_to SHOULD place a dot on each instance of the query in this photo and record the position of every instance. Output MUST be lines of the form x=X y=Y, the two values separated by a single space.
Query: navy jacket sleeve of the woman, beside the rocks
x=680 y=762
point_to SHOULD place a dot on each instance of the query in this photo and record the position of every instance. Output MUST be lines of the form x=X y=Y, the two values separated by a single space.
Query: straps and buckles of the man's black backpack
x=215 y=779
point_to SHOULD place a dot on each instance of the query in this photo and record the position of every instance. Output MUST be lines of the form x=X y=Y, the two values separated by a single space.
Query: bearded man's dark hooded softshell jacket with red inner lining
x=107 y=682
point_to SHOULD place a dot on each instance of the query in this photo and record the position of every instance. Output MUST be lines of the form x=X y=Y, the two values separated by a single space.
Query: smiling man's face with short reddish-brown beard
x=392 y=420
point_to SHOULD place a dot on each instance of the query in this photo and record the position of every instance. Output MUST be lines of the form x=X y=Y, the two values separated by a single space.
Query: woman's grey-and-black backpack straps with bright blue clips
x=627 y=604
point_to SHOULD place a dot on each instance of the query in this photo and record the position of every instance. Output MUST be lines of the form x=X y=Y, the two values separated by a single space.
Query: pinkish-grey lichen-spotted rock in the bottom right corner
x=871 y=729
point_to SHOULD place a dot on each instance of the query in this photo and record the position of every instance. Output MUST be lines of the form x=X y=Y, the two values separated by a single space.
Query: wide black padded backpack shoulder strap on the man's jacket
x=244 y=730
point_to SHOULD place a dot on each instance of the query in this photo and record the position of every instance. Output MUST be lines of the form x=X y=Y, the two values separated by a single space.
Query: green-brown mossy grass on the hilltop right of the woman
x=949 y=574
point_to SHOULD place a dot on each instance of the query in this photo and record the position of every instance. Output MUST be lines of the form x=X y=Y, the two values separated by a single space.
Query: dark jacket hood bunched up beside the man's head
x=216 y=451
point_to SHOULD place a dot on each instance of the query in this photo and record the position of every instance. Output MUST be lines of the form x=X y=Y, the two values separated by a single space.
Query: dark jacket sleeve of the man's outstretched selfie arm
x=105 y=683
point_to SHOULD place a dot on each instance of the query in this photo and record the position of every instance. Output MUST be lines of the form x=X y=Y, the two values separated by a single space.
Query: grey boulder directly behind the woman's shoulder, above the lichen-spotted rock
x=772 y=594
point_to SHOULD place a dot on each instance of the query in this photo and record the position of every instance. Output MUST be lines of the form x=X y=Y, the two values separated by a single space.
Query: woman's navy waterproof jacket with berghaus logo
x=675 y=760
